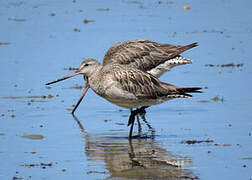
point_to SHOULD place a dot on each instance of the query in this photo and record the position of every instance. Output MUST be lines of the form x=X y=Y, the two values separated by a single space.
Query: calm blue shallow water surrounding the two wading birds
x=205 y=137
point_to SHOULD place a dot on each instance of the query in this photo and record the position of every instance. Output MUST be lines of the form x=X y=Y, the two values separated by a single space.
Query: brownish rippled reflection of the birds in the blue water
x=138 y=158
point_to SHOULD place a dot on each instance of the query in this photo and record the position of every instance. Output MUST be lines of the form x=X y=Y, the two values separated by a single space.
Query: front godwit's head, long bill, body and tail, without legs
x=128 y=87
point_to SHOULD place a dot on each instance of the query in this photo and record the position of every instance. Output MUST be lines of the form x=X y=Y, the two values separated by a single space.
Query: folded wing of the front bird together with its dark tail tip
x=145 y=85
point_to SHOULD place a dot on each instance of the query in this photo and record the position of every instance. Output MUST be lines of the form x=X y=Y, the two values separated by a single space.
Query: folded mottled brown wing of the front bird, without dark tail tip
x=142 y=84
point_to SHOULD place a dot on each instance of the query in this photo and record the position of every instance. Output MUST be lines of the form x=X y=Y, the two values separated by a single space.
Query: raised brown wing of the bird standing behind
x=142 y=54
